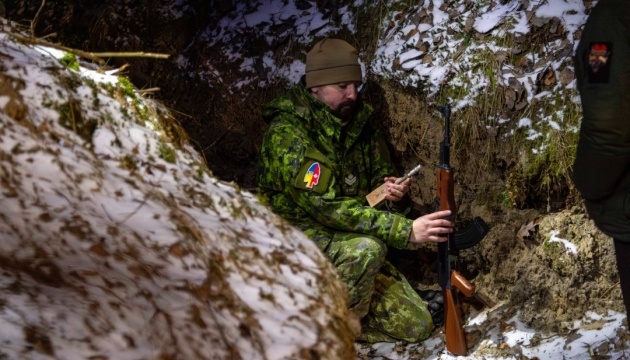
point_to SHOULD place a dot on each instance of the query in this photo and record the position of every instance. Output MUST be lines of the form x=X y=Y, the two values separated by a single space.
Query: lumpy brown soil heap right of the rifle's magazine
x=536 y=273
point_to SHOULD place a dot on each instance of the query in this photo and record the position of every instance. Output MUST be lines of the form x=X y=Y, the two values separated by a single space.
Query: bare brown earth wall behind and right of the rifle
x=546 y=263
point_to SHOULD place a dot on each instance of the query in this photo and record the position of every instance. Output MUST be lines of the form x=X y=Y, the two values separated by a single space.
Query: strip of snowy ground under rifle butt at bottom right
x=509 y=339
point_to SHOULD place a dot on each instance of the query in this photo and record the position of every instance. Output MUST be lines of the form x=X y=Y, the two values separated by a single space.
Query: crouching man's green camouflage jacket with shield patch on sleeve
x=316 y=175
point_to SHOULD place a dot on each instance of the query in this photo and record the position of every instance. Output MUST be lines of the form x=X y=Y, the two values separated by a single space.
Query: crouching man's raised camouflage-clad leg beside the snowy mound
x=358 y=259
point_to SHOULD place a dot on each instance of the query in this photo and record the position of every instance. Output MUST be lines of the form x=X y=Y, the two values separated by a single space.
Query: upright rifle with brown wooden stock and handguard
x=448 y=278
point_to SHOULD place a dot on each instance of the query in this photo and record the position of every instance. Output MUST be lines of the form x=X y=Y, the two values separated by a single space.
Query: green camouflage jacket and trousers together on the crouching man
x=315 y=172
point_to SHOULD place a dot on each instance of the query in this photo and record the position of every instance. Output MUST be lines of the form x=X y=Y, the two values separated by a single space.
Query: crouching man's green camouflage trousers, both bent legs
x=389 y=308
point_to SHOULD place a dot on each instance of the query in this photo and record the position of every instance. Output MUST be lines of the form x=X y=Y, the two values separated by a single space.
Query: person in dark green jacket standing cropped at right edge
x=602 y=163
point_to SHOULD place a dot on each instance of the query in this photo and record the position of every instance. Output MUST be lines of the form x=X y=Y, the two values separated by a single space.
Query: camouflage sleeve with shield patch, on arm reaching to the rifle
x=307 y=177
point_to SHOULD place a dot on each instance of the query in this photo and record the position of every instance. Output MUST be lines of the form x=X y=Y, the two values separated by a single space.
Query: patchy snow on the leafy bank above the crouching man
x=451 y=60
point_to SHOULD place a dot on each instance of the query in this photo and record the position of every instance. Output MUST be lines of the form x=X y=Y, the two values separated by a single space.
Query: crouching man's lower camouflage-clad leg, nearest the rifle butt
x=397 y=313
